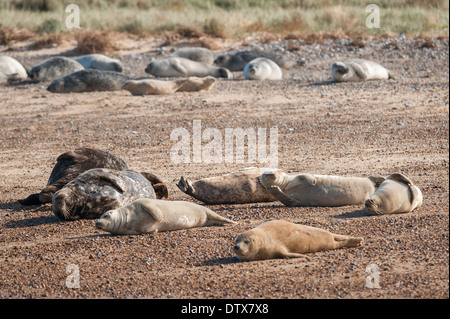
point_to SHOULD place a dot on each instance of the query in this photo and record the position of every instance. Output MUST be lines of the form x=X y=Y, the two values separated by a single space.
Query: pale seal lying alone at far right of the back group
x=358 y=70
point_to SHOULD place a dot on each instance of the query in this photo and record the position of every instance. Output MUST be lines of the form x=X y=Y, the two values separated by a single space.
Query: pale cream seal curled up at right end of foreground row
x=397 y=194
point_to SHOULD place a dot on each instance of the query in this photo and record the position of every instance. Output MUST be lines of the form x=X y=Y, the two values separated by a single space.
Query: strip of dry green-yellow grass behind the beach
x=231 y=18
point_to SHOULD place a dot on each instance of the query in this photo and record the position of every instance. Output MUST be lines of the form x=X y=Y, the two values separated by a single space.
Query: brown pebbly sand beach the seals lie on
x=348 y=129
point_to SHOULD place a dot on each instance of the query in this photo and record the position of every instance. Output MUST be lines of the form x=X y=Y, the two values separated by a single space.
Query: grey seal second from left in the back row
x=53 y=68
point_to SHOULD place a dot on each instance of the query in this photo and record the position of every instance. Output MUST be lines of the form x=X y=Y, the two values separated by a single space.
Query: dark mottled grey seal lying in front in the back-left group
x=88 y=81
